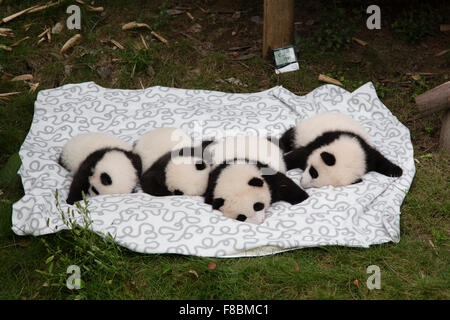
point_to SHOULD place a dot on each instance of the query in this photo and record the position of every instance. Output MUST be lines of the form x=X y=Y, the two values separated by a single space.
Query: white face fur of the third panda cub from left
x=232 y=185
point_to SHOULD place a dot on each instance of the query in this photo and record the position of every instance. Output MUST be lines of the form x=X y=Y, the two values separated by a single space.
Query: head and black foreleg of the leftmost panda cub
x=106 y=171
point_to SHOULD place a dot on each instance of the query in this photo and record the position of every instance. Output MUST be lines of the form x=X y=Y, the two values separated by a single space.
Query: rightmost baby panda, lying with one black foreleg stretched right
x=333 y=149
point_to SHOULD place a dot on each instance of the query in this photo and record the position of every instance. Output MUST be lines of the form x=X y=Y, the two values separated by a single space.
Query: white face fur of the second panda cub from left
x=182 y=174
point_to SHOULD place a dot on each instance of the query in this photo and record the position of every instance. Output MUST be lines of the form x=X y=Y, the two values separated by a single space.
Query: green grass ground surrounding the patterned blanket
x=35 y=267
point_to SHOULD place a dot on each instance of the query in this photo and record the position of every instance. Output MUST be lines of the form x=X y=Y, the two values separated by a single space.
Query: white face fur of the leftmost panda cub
x=122 y=172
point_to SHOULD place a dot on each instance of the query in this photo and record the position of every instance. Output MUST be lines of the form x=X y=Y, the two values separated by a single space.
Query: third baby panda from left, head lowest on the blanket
x=248 y=175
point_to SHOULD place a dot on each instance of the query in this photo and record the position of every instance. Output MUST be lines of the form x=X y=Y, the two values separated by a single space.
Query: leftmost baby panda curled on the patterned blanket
x=101 y=163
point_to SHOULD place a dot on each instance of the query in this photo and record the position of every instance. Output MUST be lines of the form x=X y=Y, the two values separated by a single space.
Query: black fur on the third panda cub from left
x=281 y=187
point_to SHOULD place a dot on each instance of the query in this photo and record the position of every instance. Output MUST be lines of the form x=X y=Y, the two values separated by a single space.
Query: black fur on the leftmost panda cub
x=80 y=182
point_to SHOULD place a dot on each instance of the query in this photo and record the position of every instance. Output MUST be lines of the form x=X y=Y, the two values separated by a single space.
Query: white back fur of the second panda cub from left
x=155 y=143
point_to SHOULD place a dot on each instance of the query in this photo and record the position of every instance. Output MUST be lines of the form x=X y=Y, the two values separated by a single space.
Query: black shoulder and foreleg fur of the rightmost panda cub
x=375 y=161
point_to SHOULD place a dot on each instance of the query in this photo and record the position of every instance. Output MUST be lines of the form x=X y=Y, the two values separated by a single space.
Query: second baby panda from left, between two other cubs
x=171 y=164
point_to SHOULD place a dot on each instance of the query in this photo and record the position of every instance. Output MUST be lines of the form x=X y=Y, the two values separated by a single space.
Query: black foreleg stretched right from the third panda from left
x=284 y=189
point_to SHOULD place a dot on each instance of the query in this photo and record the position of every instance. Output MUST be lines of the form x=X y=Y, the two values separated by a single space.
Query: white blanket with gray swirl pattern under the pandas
x=358 y=215
